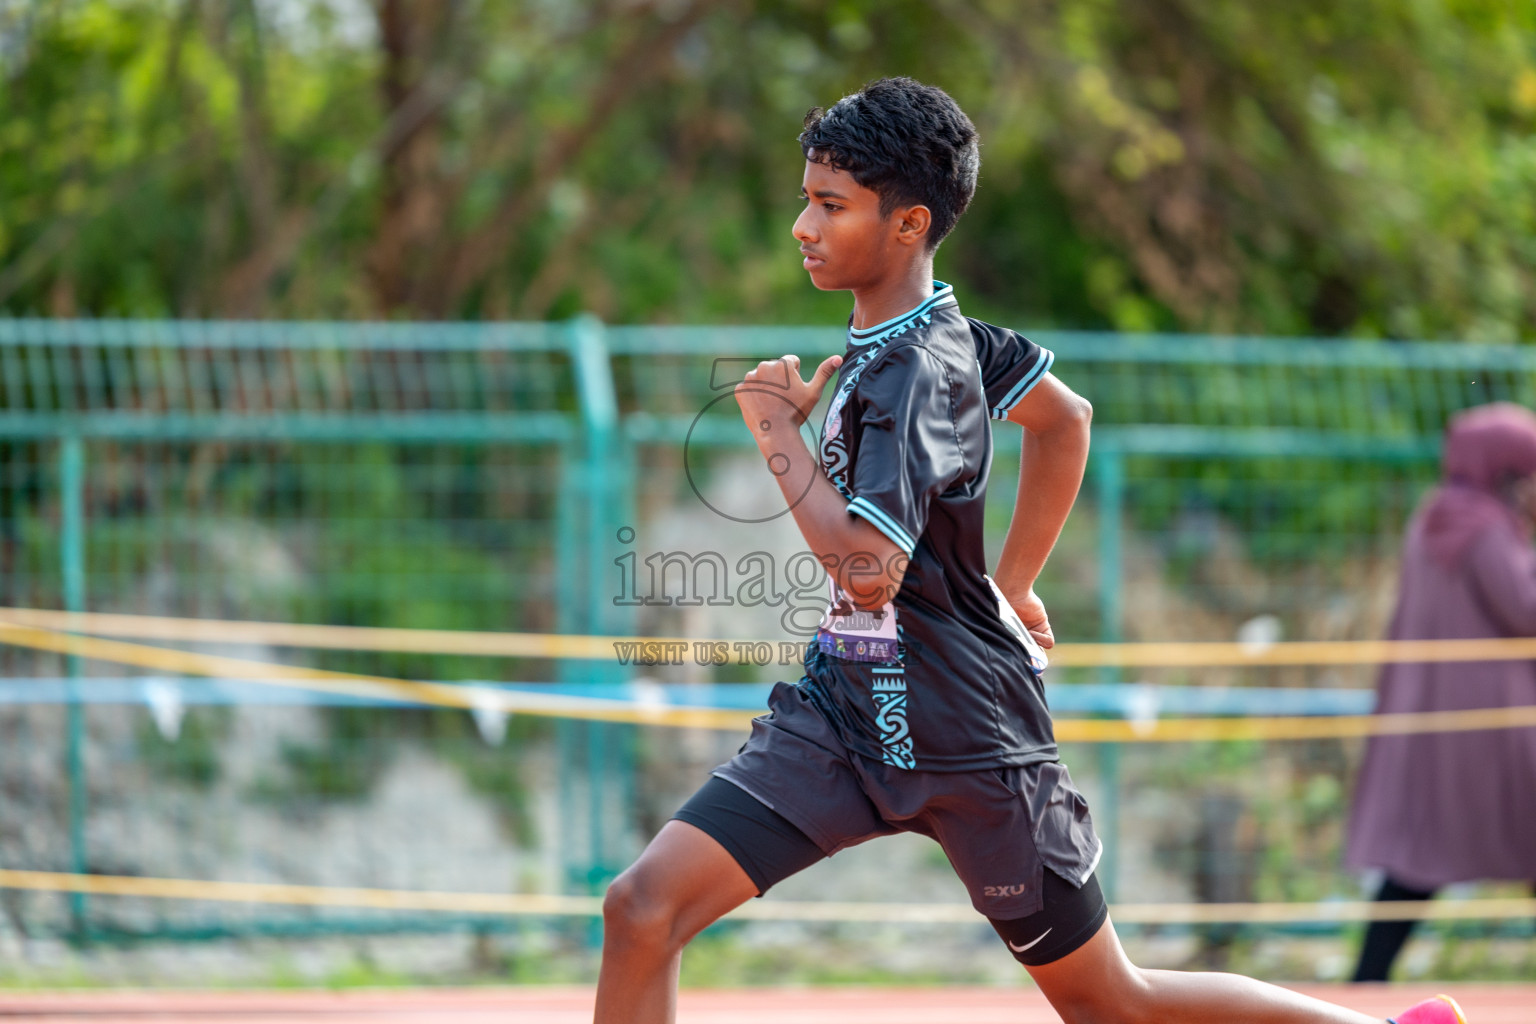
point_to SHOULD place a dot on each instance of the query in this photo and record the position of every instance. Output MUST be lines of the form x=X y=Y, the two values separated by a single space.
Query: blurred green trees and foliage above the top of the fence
x=1326 y=168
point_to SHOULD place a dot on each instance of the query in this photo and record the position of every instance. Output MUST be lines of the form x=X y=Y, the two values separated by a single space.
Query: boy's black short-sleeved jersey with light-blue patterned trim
x=935 y=681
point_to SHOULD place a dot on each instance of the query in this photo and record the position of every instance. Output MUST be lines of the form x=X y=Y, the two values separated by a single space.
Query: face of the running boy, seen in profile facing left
x=844 y=239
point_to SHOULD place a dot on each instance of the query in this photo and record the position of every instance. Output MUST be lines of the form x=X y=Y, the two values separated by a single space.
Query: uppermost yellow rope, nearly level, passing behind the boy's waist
x=552 y=646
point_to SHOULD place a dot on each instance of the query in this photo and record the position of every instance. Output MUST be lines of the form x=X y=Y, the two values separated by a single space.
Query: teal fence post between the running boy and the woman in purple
x=1110 y=480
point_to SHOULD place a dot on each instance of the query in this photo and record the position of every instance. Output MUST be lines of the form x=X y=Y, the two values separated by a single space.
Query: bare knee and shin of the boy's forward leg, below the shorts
x=681 y=885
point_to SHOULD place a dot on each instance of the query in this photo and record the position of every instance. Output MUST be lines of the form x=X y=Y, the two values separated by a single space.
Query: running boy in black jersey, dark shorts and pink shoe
x=922 y=707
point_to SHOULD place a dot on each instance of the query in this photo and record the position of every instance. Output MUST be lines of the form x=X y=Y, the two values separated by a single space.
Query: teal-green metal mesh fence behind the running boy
x=492 y=477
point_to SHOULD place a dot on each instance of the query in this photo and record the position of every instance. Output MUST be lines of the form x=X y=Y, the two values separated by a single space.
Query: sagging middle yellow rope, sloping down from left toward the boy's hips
x=640 y=713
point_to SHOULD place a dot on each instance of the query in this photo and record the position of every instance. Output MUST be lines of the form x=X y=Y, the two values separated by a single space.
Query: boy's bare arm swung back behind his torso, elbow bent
x=1056 y=424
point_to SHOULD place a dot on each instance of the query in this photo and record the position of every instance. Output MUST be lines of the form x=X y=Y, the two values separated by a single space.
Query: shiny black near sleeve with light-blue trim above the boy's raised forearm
x=909 y=451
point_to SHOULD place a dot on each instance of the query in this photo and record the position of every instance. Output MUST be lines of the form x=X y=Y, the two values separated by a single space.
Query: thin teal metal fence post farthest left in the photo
x=73 y=567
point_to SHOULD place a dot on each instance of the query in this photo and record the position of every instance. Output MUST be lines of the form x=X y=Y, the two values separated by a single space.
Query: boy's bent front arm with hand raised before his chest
x=861 y=560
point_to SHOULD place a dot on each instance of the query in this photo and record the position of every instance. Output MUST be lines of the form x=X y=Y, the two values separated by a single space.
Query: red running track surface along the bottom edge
x=1485 y=1005
